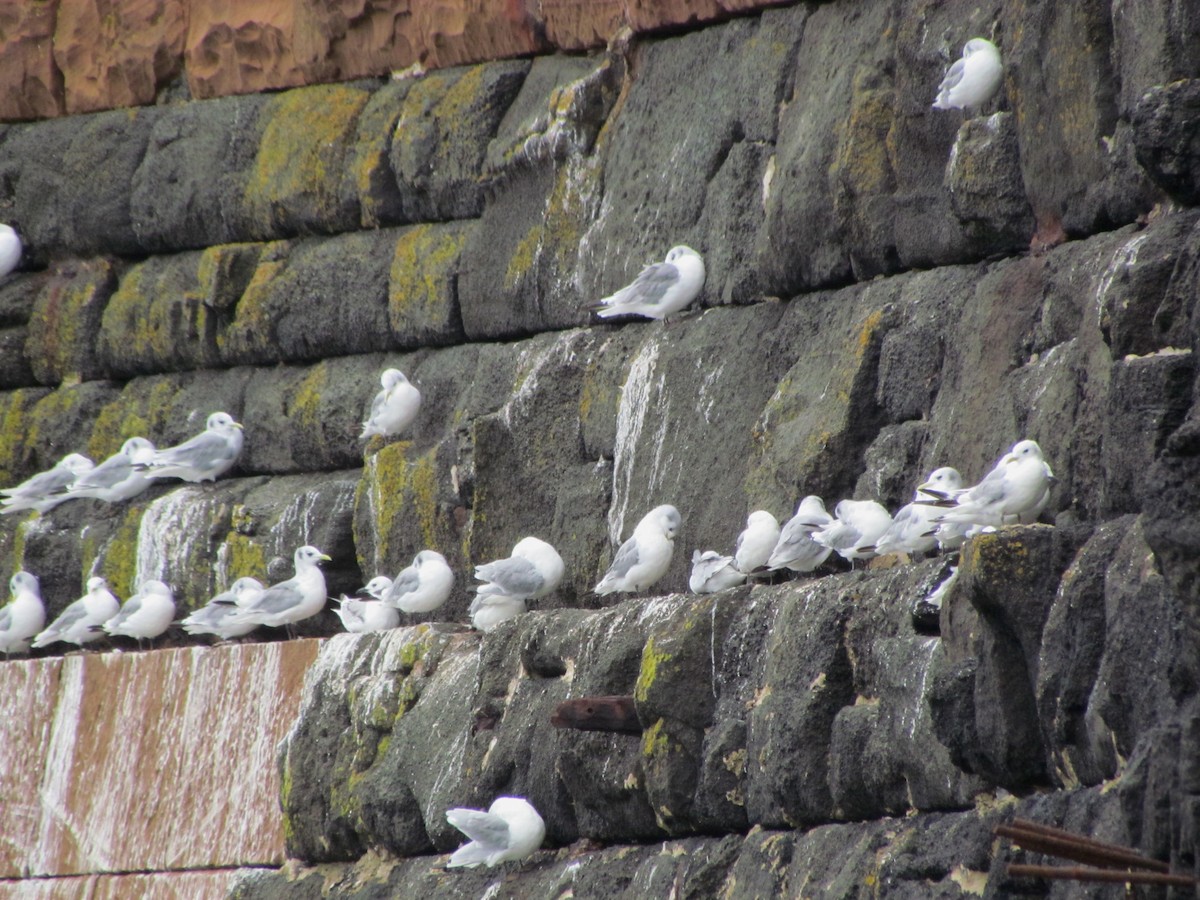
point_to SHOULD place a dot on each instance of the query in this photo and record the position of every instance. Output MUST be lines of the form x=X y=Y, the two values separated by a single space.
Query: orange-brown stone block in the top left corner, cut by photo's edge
x=32 y=83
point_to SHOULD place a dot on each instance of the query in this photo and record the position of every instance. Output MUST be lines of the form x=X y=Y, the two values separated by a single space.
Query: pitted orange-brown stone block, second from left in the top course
x=118 y=53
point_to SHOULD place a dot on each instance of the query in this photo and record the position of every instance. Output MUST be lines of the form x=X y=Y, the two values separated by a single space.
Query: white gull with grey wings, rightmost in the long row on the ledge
x=1017 y=490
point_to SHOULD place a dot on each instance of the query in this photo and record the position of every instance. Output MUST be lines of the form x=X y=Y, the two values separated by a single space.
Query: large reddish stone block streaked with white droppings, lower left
x=147 y=761
